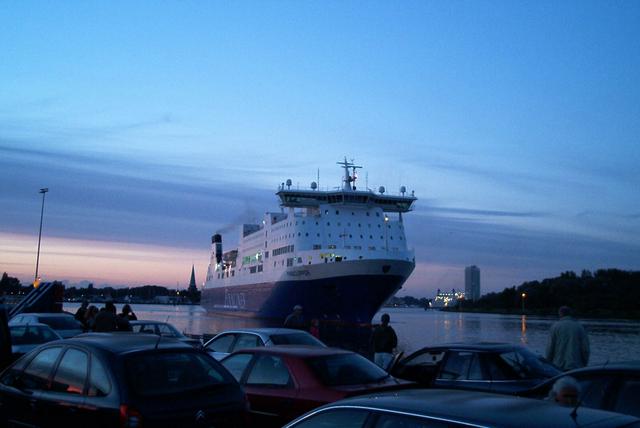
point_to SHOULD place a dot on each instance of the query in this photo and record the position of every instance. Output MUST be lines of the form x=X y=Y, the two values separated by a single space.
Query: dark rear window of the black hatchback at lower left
x=173 y=372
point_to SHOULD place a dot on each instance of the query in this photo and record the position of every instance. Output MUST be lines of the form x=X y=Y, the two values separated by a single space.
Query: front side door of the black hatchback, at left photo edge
x=22 y=385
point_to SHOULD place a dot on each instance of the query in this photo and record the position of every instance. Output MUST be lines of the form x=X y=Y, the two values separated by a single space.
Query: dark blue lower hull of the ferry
x=351 y=299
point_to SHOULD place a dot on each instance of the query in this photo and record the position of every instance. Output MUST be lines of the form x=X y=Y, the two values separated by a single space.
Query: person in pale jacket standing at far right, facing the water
x=568 y=345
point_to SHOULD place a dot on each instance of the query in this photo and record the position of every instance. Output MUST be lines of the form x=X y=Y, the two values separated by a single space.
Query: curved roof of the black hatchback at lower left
x=124 y=342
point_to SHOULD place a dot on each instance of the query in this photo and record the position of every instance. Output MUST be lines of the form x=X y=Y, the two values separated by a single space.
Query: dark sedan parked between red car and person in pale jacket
x=496 y=367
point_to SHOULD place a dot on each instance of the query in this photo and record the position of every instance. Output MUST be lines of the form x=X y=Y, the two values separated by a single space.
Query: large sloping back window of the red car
x=345 y=369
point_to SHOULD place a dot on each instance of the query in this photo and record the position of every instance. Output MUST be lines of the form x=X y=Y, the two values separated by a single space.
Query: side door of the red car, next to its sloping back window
x=271 y=390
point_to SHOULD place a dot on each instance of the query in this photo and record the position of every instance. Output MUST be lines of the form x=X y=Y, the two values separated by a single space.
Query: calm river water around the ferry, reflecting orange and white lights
x=611 y=340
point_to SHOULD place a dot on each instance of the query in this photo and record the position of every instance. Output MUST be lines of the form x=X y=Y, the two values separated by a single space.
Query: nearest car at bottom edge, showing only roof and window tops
x=442 y=408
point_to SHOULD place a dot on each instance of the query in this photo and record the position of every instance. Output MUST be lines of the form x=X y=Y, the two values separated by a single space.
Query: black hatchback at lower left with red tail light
x=119 y=379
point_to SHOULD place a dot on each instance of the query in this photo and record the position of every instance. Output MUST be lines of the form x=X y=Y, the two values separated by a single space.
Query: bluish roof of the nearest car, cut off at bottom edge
x=482 y=408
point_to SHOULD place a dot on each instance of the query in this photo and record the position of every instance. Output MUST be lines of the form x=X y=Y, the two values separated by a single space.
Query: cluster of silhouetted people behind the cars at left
x=106 y=318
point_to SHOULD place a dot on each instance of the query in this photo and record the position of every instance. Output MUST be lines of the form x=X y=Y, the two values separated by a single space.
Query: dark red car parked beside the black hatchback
x=283 y=382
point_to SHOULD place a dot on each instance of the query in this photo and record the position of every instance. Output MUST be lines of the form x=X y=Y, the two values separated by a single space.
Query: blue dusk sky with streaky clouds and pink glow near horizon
x=156 y=124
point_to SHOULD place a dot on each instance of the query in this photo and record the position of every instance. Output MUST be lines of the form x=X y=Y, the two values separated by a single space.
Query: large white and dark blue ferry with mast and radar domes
x=340 y=254
